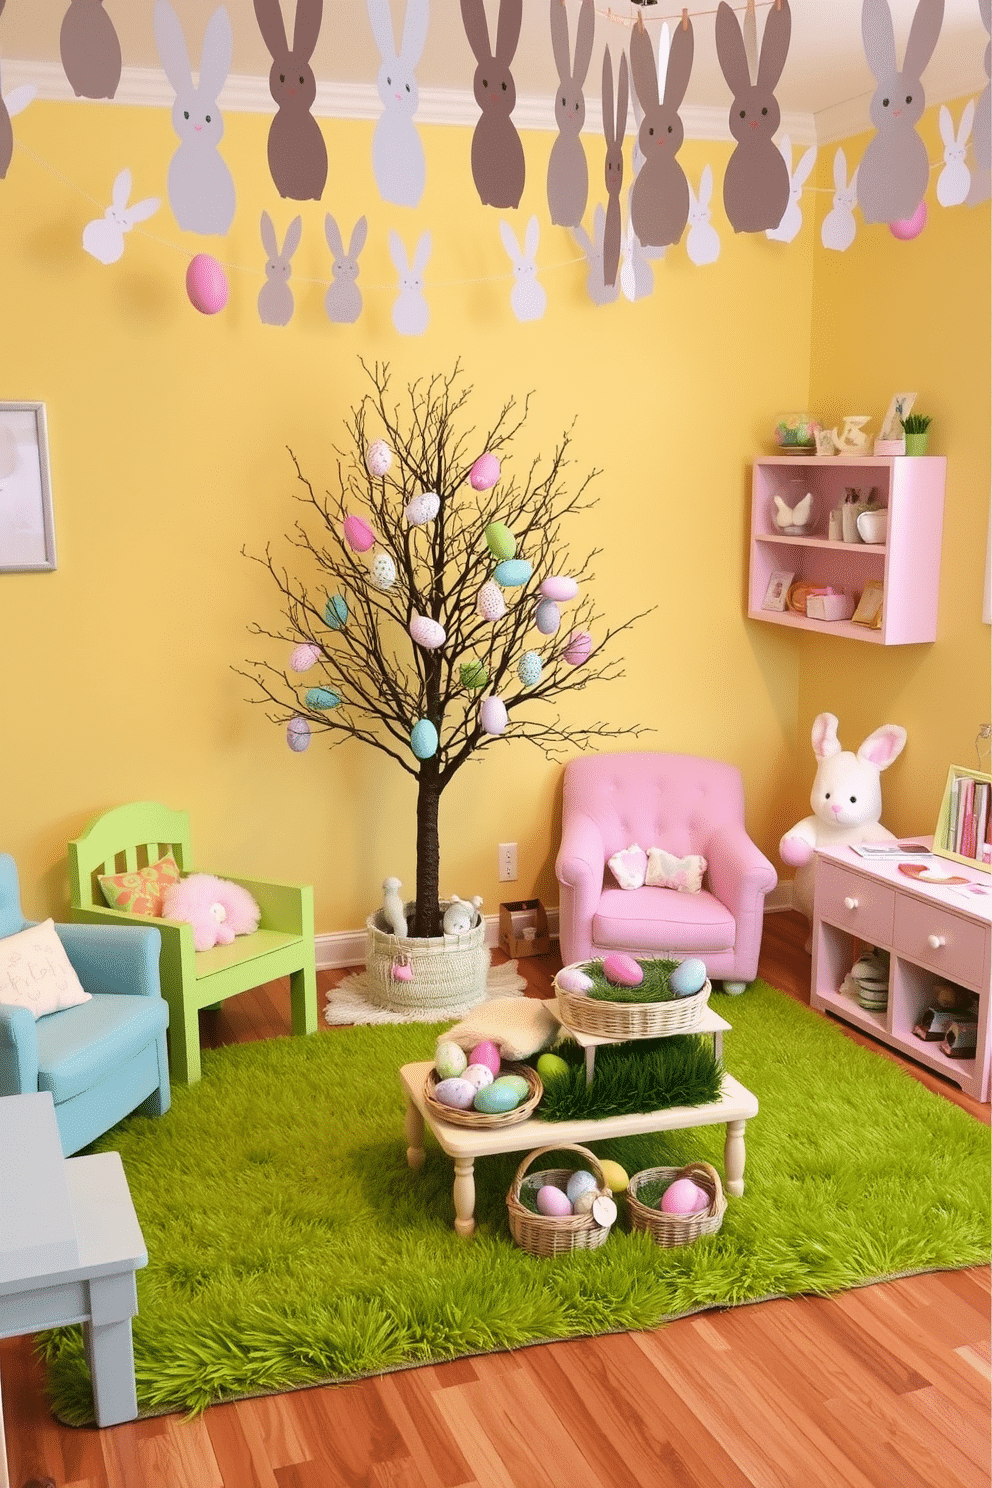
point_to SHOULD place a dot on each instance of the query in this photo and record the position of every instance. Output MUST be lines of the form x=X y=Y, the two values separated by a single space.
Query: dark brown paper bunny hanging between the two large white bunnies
x=298 y=155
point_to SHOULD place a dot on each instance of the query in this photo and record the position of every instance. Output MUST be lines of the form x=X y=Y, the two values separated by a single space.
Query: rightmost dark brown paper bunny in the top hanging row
x=756 y=182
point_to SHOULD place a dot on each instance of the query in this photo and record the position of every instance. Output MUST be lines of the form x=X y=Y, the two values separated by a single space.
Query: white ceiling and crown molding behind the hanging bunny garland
x=826 y=77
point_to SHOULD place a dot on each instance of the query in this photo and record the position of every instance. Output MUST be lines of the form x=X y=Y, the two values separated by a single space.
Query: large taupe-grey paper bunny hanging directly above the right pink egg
x=895 y=170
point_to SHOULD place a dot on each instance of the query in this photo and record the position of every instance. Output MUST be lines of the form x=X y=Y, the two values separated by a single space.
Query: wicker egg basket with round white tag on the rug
x=555 y=1210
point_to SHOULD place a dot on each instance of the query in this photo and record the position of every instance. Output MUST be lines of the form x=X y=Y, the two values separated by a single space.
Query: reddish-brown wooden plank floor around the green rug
x=884 y=1388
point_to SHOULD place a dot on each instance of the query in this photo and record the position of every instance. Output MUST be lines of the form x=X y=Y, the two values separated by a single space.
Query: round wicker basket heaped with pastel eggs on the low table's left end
x=480 y=1088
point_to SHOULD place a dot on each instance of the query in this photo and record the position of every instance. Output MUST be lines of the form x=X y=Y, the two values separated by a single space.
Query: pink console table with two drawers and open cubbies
x=932 y=934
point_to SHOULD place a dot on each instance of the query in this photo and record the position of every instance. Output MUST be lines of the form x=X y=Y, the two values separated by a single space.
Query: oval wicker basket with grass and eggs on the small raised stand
x=622 y=998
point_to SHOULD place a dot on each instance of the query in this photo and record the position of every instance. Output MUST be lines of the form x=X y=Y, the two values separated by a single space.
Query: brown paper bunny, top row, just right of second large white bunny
x=497 y=155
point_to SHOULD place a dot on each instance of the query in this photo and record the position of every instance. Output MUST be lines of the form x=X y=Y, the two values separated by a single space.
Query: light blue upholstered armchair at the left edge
x=105 y=1059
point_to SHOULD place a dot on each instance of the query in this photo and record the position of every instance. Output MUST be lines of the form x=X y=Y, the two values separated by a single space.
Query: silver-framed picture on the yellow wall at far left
x=28 y=527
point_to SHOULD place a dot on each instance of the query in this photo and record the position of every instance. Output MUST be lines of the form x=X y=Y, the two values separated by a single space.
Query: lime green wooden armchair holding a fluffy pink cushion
x=136 y=836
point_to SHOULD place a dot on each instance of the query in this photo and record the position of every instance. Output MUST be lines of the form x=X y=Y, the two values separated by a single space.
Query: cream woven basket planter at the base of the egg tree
x=448 y=972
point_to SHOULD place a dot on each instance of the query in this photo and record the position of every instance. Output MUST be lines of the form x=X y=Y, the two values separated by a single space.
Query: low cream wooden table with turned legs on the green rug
x=465 y=1145
